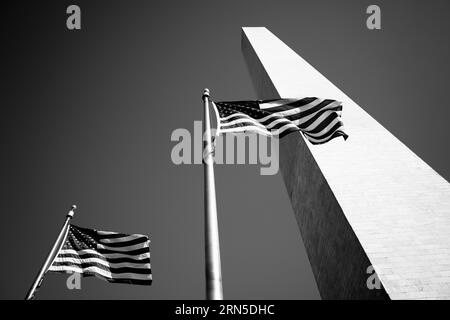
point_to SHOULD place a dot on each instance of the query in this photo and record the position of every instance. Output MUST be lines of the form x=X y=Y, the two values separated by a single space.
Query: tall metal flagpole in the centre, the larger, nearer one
x=212 y=248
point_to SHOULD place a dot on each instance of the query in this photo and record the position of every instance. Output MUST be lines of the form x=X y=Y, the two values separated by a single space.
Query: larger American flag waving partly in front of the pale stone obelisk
x=318 y=119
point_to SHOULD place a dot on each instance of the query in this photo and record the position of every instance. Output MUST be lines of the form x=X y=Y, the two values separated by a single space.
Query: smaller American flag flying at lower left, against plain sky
x=112 y=256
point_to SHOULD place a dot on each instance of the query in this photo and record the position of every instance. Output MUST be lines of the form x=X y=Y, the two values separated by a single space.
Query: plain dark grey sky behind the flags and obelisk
x=86 y=118
